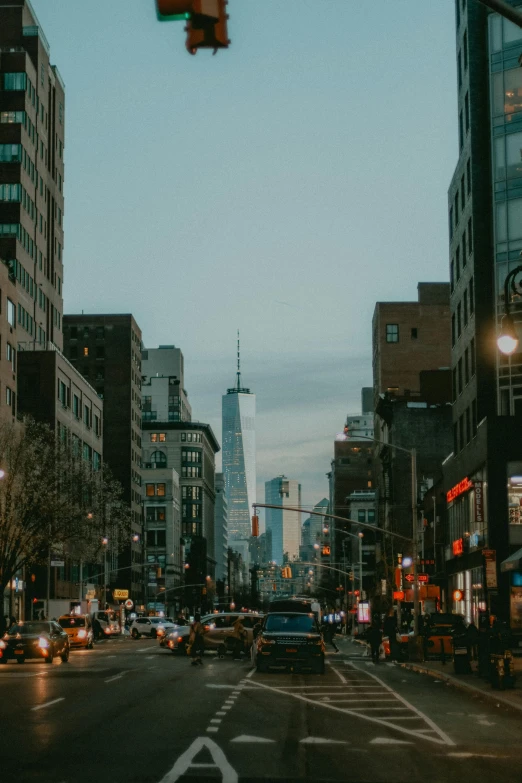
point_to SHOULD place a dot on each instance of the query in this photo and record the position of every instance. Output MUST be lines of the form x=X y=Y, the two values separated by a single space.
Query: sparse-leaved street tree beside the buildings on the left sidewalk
x=52 y=498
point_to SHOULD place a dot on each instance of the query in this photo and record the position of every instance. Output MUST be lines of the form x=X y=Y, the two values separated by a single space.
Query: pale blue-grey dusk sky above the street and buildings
x=281 y=188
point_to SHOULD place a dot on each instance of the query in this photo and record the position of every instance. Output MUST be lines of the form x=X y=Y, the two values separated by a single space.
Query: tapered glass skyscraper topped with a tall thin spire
x=239 y=461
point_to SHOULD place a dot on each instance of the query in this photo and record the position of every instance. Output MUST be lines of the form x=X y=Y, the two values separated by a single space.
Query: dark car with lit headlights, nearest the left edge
x=35 y=639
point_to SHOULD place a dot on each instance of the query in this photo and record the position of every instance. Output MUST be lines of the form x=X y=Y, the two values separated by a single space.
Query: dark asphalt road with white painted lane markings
x=130 y=712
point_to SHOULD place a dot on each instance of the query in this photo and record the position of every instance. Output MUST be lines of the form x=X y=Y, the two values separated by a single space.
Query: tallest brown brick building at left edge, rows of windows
x=32 y=123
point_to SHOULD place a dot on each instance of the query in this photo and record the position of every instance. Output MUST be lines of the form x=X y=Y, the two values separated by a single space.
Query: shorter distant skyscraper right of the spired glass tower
x=284 y=525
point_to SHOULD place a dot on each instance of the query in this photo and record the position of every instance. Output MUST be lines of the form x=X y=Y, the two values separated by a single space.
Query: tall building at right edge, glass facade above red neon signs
x=483 y=474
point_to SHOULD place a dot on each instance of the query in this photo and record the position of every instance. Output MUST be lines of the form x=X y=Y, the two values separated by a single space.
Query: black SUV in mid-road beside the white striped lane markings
x=290 y=639
